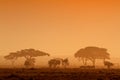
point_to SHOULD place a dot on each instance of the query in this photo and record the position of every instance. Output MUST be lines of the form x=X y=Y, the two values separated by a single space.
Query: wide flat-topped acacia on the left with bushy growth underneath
x=28 y=54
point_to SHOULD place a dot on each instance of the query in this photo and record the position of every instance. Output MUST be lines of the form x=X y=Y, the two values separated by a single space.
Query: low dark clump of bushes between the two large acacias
x=56 y=62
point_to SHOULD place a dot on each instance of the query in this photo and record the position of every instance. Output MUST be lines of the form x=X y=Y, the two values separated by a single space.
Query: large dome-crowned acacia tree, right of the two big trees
x=92 y=53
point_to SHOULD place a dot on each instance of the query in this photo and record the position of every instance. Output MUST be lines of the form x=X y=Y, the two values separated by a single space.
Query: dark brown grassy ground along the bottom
x=59 y=74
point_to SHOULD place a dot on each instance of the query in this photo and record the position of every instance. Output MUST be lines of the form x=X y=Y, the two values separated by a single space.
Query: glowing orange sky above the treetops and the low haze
x=59 y=27
